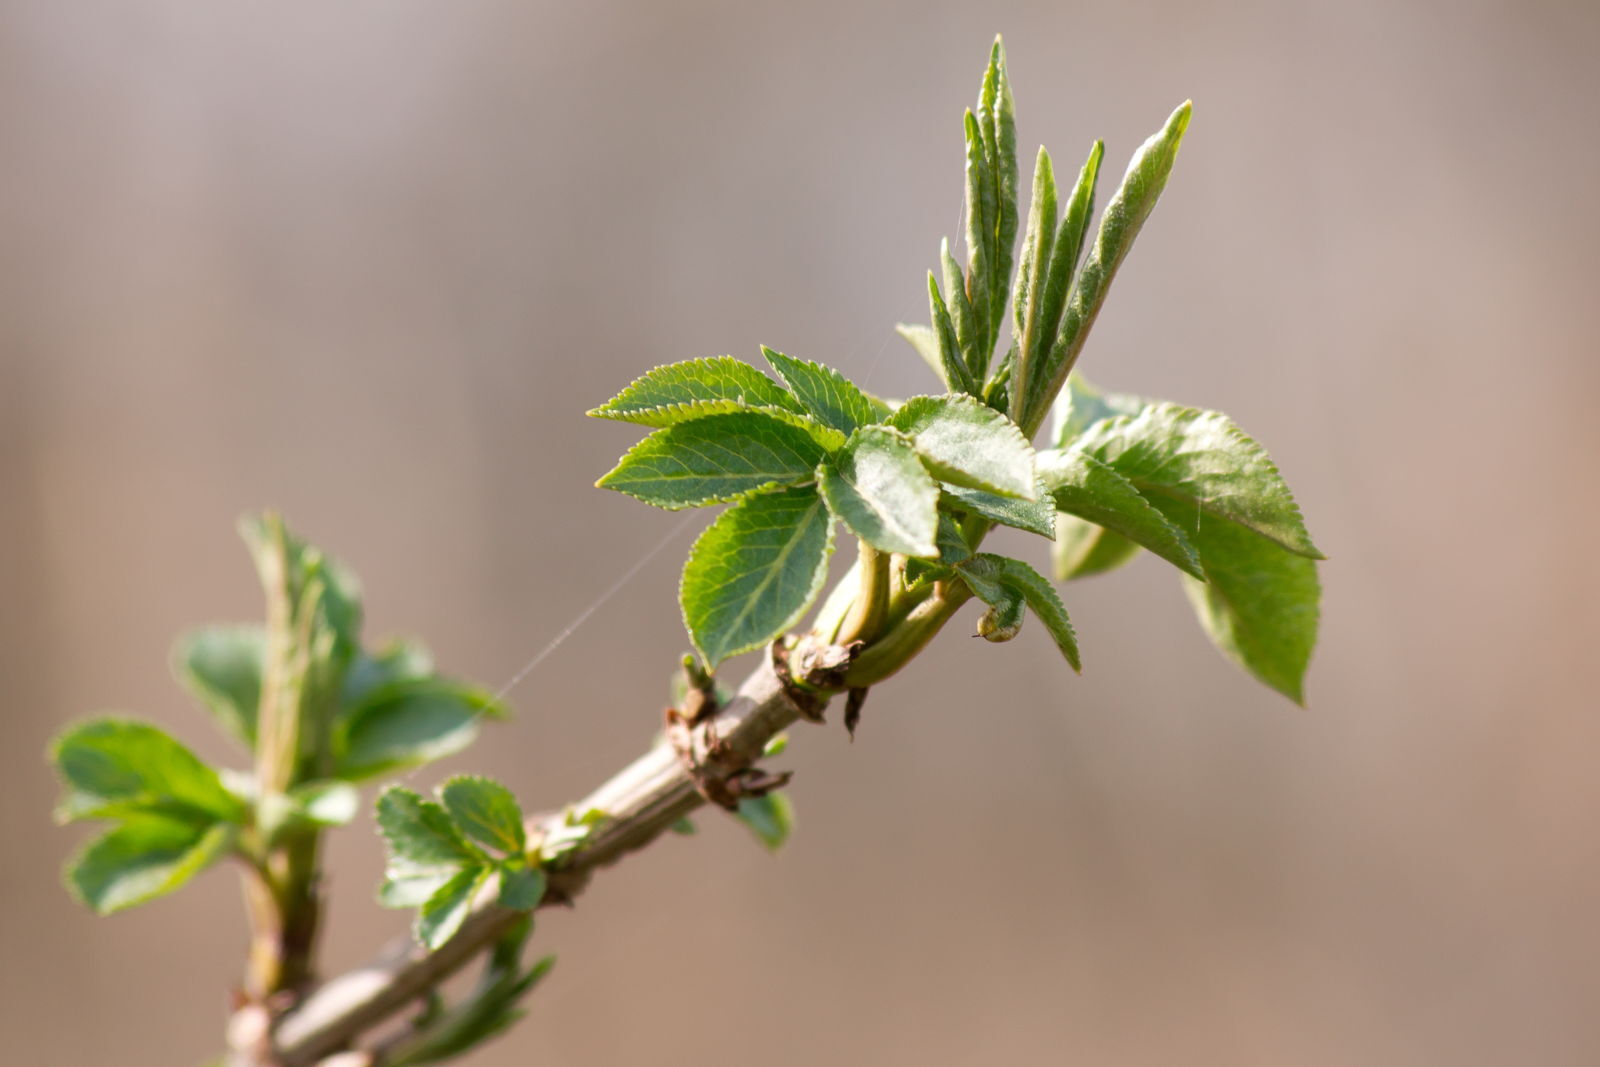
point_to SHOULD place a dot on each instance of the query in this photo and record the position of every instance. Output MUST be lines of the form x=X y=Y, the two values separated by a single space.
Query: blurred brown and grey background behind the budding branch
x=369 y=263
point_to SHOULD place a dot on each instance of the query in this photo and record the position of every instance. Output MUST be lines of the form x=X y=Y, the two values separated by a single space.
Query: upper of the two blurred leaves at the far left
x=118 y=767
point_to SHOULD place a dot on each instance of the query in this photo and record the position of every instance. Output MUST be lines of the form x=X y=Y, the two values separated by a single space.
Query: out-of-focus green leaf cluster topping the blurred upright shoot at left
x=319 y=713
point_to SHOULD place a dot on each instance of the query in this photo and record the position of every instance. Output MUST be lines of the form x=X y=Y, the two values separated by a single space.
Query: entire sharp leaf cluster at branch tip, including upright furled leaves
x=927 y=479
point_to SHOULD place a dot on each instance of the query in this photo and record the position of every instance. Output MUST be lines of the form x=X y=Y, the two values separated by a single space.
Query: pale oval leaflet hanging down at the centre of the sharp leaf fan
x=879 y=489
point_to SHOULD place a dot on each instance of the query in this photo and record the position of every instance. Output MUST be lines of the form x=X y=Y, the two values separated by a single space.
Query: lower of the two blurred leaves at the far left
x=145 y=858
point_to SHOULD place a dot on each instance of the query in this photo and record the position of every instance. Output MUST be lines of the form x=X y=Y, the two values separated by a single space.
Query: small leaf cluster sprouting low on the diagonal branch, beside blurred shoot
x=446 y=855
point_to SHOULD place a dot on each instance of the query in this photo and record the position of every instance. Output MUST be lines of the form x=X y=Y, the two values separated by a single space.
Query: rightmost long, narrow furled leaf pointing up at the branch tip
x=1121 y=225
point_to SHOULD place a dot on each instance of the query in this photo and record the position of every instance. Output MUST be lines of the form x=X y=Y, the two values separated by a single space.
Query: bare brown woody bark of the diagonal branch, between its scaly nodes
x=641 y=804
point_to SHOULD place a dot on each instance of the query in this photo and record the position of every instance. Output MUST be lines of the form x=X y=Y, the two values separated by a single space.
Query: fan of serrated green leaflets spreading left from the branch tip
x=796 y=460
